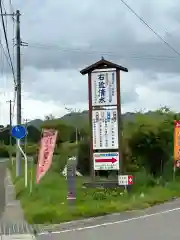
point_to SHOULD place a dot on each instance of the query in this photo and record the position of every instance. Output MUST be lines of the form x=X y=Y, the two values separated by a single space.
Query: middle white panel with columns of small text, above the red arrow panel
x=105 y=129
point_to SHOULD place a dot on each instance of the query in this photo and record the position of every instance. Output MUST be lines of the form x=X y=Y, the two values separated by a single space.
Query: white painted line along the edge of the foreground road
x=112 y=223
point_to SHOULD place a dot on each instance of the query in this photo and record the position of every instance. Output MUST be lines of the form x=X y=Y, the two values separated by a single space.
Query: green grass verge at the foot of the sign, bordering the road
x=47 y=203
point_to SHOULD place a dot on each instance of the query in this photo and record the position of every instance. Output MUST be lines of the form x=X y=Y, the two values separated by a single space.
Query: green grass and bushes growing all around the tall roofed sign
x=147 y=154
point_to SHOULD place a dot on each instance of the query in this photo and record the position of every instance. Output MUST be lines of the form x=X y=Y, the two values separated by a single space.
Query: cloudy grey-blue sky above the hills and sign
x=66 y=36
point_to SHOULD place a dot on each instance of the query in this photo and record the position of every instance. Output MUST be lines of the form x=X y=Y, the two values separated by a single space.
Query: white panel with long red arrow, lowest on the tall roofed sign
x=106 y=161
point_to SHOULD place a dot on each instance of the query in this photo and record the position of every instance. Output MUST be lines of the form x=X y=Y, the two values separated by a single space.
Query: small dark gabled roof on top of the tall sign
x=102 y=64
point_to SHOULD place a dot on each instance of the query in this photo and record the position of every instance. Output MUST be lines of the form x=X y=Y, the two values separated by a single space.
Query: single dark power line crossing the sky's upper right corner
x=150 y=28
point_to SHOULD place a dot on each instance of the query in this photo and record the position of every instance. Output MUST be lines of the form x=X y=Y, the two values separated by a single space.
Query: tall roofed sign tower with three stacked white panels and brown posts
x=105 y=116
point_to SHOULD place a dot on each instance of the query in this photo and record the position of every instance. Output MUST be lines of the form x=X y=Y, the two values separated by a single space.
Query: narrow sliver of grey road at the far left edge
x=2 y=188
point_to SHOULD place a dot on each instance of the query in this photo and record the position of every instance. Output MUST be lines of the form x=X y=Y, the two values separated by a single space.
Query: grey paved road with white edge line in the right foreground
x=158 y=223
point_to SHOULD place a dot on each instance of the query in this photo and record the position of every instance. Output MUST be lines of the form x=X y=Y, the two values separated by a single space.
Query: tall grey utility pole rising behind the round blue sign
x=18 y=53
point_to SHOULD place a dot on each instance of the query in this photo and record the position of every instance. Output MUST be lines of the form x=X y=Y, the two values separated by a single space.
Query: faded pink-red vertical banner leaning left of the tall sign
x=47 y=145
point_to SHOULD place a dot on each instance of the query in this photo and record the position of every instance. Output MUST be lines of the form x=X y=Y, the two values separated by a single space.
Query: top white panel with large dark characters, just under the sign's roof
x=104 y=88
